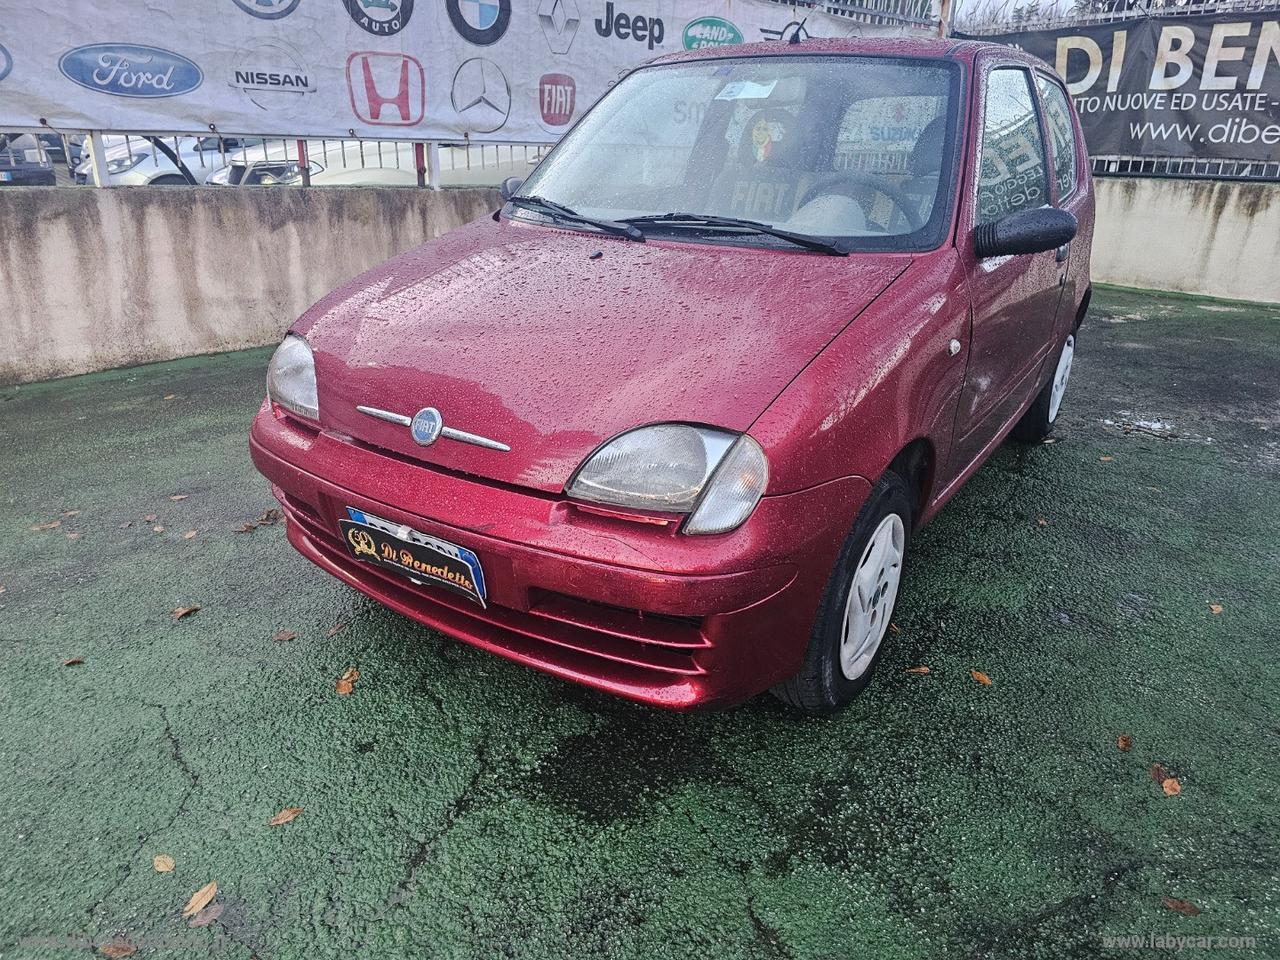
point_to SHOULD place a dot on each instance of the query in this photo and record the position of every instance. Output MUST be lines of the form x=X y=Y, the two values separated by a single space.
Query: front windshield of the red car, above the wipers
x=854 y=149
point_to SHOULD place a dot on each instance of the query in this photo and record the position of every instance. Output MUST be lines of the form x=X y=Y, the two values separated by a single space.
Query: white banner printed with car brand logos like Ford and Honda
x=383 y=70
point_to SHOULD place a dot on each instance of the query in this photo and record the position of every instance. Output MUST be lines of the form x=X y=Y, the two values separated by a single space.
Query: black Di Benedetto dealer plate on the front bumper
x=413 y=555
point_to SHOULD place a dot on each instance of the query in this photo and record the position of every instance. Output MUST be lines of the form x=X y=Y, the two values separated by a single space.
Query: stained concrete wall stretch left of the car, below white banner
x=100 y=278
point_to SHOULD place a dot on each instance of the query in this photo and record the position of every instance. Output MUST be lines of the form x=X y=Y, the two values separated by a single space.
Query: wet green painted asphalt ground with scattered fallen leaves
x=458 y=806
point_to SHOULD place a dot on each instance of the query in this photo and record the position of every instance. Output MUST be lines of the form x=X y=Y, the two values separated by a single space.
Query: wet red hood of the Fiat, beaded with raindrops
x=554 y=341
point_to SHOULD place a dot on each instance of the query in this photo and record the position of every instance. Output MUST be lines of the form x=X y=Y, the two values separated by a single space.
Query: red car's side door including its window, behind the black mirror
x=1014 y=298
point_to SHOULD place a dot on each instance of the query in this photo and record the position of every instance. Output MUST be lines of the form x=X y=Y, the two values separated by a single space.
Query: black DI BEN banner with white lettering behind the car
x=1201 y=88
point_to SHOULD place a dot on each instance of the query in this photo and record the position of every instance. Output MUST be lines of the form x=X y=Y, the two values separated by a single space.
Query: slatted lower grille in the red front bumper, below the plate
x=556 y=628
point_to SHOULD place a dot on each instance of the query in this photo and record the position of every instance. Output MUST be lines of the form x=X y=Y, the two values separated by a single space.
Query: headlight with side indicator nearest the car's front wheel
x=715 y=477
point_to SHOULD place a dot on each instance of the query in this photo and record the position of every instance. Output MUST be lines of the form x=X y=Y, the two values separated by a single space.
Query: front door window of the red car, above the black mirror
x=1014 y=173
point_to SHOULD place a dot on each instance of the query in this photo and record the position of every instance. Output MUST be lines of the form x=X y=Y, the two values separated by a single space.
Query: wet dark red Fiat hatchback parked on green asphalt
x=666 y=423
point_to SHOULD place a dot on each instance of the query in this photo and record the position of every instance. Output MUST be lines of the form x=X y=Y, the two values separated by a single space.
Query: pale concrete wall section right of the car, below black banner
x=1210 y=237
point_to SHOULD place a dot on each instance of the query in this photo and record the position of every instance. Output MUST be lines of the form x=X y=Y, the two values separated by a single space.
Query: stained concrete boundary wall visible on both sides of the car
x=99 y=278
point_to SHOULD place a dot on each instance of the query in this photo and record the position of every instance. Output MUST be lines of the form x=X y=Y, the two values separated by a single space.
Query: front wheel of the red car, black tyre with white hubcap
x=835 y=673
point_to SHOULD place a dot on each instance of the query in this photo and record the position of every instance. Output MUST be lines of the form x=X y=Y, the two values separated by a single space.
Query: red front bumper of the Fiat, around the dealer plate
x=634 y=610
